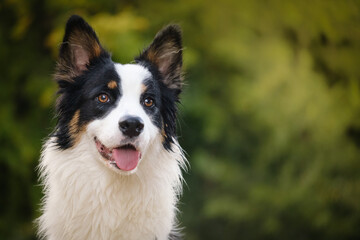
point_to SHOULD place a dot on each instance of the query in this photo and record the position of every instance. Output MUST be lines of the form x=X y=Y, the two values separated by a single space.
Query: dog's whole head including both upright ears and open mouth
x=122 y=109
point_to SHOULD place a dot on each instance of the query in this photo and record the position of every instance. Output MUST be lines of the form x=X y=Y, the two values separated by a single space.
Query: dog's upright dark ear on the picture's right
x=165 y=53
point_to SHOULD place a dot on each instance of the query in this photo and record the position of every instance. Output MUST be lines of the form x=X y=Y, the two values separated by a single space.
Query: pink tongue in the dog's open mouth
x=126 y=159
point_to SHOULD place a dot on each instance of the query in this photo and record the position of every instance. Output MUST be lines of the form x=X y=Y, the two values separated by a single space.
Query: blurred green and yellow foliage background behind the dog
x=270 y=117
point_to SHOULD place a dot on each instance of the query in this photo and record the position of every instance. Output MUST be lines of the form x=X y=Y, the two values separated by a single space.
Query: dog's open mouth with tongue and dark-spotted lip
x=125 y=157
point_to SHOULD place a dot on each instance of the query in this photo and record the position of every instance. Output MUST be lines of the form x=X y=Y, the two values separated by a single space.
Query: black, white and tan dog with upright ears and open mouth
x=112 y=168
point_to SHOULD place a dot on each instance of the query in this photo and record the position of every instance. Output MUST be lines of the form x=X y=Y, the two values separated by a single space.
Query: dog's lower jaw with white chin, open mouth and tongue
x=123 y=159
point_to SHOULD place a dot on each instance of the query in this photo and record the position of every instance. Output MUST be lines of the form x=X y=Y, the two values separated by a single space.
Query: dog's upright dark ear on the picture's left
x=80 y=45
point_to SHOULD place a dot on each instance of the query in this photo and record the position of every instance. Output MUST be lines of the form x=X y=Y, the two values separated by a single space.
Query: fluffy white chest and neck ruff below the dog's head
x=86 y=200
